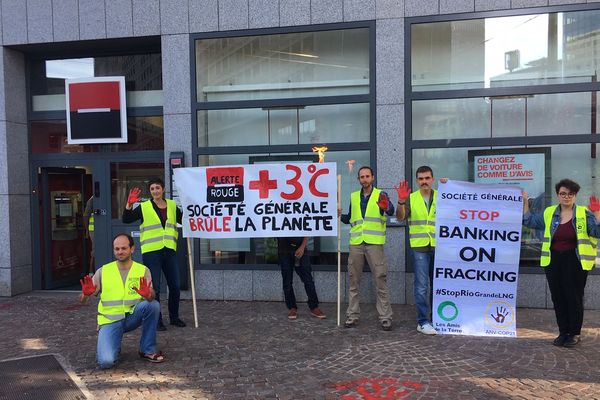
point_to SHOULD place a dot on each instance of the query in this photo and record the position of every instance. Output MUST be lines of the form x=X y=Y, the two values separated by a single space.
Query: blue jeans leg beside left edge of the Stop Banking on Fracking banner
x=423 y=265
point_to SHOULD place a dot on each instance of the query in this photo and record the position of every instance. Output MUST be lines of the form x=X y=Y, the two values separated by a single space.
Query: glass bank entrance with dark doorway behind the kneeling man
x=78 y=212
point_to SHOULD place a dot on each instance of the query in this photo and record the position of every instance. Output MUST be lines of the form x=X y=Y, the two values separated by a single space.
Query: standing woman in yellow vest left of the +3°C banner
x=158 y=240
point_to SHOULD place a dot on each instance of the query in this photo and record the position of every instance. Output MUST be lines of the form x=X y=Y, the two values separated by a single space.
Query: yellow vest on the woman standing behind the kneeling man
x=152 y=235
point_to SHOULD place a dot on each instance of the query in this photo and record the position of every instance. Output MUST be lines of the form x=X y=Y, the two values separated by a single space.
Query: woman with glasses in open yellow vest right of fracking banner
x=568 y=252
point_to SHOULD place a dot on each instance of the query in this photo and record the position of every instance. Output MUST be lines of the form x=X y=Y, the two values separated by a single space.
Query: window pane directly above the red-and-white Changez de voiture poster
x=506 y=116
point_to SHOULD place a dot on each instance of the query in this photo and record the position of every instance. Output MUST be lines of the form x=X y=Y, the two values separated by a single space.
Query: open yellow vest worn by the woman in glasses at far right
x=586 y=245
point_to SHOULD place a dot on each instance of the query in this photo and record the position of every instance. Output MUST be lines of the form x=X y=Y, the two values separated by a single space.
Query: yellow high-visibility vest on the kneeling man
x=117 y=298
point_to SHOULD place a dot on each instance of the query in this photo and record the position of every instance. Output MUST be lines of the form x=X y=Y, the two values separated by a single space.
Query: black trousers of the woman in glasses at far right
x=567 y=282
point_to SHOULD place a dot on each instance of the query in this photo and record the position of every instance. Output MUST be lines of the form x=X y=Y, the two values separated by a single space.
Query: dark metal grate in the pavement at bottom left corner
x=40 y=377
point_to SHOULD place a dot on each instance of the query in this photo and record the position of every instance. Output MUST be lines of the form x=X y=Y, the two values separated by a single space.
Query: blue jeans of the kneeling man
x=110 y=335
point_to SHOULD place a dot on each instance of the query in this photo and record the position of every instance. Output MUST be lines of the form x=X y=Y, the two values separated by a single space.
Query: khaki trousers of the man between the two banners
x=375 y=256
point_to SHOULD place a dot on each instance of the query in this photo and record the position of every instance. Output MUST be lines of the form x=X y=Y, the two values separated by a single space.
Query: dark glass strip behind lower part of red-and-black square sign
x=144 y=133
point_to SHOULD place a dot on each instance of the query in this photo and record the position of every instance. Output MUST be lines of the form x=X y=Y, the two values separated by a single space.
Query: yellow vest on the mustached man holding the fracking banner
x=421 y=223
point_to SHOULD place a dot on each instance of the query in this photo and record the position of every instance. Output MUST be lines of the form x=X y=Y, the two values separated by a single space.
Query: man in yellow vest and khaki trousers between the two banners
x=367 y=217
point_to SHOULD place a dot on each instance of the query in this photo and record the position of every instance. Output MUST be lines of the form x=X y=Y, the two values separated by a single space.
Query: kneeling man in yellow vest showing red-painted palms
x=126 y=302
